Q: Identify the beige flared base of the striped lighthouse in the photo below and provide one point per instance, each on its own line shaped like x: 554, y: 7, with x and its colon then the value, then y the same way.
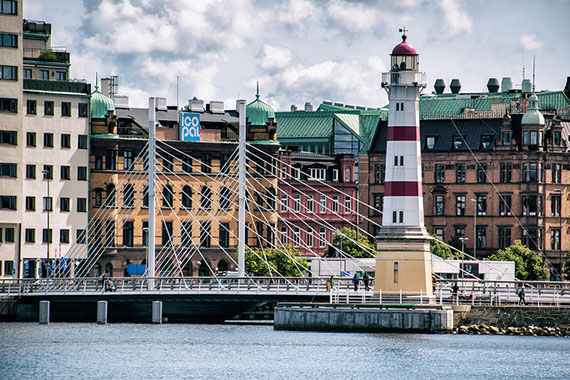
x: 403, y: 261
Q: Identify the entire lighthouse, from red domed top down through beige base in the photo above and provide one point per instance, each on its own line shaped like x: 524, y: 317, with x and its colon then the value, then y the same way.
x: 403, y: 261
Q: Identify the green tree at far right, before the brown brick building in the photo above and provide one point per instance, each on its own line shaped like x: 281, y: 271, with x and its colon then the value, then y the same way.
x: 528, y: 265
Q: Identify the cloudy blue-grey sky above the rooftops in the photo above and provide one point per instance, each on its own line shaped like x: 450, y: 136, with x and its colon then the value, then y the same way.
x: 303, y: 50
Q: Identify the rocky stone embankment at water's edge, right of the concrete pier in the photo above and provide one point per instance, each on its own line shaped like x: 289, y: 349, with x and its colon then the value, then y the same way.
x: 516, y: 316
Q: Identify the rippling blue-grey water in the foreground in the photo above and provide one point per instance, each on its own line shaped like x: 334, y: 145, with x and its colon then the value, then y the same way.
x: 138, y: 351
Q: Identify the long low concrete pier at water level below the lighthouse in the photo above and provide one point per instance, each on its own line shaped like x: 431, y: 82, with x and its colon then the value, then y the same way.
x: 347, y: 317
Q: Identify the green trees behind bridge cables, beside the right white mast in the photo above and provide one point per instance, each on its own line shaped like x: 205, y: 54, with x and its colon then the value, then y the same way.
x: 285, y: 260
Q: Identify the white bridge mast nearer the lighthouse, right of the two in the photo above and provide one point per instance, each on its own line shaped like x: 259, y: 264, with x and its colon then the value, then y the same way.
x: 241, y: 189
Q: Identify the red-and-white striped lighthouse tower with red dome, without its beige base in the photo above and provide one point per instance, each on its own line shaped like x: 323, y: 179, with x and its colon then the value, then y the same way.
x: 403, y: 200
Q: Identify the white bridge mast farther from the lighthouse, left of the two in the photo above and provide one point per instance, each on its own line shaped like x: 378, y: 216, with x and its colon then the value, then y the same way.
x: 150, y: 255
